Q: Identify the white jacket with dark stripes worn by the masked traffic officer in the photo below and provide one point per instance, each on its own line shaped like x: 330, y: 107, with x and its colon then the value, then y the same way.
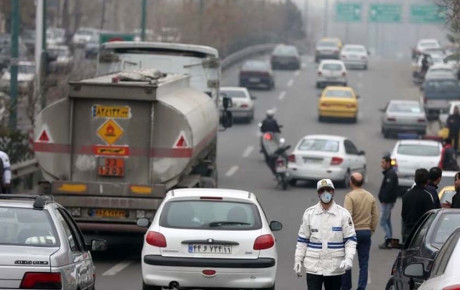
x: 325, y: 239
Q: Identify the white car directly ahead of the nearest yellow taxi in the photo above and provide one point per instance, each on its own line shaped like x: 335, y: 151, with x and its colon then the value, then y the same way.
x: 331, y: 72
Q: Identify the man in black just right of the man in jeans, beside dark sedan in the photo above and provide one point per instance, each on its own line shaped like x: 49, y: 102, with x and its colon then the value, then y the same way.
x: 416, y: 202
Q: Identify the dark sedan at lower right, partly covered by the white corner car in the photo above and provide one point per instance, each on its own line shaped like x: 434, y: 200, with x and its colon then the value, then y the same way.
x: 422, y: 245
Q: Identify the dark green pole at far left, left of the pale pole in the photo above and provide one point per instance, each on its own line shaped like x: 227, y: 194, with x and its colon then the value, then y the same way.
x: 14, y: 63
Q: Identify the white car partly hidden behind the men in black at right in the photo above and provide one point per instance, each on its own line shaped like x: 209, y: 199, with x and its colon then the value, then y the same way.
x: 409, y: 155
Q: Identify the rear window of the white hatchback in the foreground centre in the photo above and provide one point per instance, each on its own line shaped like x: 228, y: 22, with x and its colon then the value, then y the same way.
x: 210, y: 215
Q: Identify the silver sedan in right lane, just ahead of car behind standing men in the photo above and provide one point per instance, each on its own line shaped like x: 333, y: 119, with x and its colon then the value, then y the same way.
x: 403, y: 117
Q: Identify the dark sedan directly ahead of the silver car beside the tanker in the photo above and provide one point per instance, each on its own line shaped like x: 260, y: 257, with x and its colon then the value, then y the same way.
x: 256, y: 74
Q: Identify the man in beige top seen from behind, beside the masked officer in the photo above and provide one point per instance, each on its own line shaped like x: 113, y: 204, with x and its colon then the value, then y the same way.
x: 363, y: 209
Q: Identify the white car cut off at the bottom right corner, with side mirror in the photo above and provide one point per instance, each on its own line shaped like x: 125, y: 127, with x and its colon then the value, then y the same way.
x: 444, y: 270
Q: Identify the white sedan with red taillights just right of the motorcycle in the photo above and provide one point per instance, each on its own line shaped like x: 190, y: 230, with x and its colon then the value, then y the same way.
x: 325, y: 156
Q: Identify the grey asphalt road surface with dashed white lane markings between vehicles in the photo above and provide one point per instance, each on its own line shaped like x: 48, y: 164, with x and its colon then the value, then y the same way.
x: 241, y: 166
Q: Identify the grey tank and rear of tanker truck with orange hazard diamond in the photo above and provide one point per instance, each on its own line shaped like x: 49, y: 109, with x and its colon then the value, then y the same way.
x: 111, y: 150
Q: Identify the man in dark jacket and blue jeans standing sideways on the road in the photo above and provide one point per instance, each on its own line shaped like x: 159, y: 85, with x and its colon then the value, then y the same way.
x: 388, y: 194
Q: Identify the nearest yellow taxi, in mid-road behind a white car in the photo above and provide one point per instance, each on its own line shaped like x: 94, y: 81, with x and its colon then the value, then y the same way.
x: 338, y: 102
